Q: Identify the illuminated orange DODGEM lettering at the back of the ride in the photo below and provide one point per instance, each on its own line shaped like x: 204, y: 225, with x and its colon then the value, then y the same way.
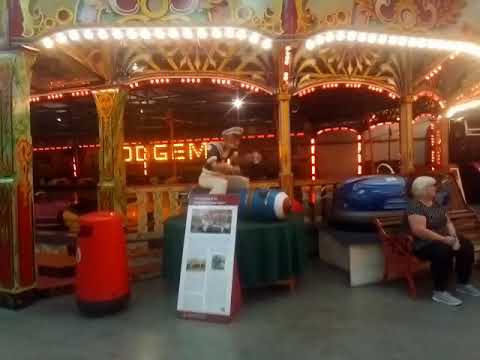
x: 180, y: 151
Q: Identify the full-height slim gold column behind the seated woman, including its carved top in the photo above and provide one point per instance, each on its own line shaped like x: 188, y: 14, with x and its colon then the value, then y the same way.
x: 406, y: 117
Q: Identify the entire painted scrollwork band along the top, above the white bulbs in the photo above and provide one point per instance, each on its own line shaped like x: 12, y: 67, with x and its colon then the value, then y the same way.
x: 451, y: 17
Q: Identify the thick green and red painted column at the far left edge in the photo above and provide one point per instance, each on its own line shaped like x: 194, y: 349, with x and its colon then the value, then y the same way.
x: 17, y: 255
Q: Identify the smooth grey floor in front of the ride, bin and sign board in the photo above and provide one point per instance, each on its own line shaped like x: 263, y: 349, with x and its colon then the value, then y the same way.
x: 324, y: 319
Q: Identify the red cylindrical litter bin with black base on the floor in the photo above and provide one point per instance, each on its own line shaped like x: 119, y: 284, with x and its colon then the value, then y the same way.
x: 102, y: 284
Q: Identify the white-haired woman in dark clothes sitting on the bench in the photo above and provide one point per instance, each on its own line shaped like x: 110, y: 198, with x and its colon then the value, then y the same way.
x: 435, y: 240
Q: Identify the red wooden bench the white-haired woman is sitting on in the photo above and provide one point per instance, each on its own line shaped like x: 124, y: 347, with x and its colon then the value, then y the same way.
x: 399, y: 260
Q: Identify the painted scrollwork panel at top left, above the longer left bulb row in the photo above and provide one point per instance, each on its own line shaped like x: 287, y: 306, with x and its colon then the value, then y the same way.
x: 39, y: 16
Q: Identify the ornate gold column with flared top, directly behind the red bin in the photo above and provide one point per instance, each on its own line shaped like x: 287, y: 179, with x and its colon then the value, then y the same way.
x: 112, y: 182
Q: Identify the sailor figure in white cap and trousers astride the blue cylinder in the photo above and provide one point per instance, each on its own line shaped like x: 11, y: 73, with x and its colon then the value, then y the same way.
x: 221, y: 172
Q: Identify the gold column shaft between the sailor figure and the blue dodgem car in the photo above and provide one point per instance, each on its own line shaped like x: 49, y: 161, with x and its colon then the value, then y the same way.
x: 284, y: 143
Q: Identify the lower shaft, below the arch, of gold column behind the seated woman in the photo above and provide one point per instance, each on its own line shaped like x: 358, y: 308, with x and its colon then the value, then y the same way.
x: 406, y: 136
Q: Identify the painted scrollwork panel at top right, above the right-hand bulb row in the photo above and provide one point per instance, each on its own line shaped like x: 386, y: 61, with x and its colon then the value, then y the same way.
x: 457, y: 17
